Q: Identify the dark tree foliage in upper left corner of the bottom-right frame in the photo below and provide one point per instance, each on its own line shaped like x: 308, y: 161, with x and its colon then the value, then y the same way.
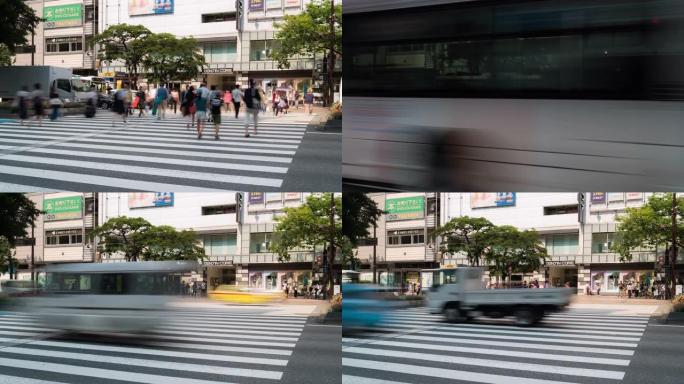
x: 359, y: 213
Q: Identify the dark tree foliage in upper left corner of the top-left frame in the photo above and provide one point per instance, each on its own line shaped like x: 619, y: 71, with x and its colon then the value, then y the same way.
x: 17, y: 21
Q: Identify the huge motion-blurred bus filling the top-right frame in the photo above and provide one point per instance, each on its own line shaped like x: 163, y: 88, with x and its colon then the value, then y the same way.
x: 486, y: 95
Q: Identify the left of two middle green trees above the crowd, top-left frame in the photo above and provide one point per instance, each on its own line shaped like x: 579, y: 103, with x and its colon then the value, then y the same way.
x: 127, y: 43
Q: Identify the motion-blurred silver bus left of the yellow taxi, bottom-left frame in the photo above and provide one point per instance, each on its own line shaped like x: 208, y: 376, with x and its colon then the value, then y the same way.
x: 108, y: 297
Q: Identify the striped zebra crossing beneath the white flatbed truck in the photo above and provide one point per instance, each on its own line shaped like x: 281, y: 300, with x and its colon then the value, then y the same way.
x: 413, y: 346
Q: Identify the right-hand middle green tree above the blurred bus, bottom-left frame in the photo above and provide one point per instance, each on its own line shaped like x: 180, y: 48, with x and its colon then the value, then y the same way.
x: 166, y: 243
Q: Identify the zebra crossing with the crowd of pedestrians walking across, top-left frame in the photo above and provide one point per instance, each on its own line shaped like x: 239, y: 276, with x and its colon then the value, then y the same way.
x: 76, y: 153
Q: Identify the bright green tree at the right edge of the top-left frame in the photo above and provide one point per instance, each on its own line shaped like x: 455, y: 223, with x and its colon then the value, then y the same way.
x: 316, y: 30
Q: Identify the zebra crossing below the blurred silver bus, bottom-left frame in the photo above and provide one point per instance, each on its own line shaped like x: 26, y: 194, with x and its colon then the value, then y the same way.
x: 207, y: 347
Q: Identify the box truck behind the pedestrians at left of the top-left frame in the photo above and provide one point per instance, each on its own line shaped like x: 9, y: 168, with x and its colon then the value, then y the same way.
x: 49, y: 78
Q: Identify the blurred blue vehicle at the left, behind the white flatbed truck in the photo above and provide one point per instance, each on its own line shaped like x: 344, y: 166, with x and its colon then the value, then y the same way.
x: 366, y: 305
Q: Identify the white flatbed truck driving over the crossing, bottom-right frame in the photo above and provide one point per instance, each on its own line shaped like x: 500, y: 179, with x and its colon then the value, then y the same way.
x: 460, y: 295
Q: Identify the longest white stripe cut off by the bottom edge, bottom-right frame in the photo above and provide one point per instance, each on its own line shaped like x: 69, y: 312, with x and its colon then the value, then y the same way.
x: 444, y: 373
